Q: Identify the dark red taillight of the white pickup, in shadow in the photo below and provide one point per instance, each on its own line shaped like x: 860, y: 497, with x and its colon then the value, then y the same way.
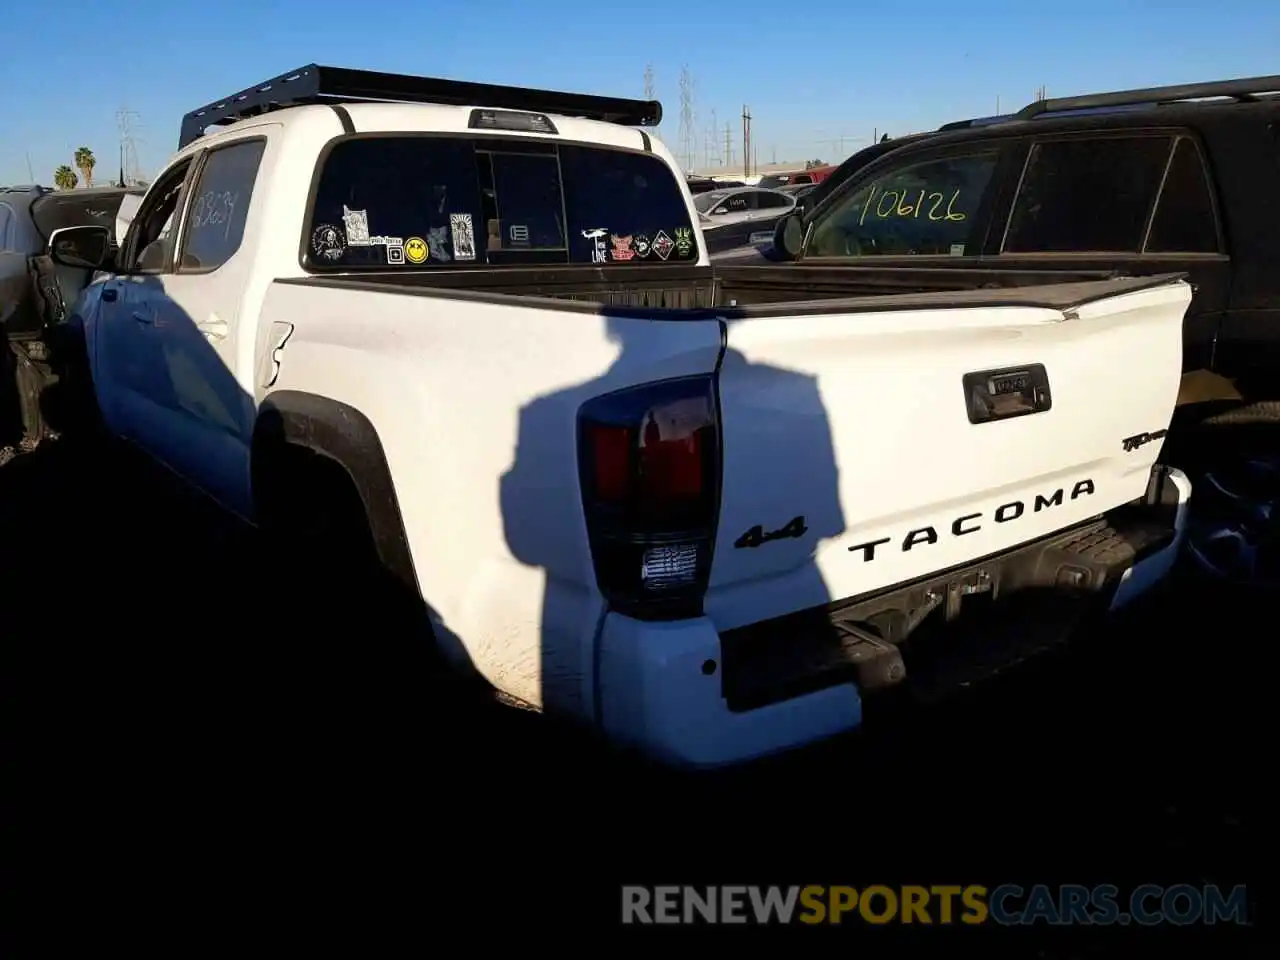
x: 650, y: 468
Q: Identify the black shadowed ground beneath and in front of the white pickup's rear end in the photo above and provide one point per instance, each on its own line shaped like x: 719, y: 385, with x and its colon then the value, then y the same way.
x: 254, y: 749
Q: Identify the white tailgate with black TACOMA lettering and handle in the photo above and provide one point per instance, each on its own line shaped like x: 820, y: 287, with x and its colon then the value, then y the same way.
x: 870, y: 445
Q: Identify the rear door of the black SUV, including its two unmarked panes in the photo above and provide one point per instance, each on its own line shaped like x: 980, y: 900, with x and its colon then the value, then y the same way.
x: 1135, y: 202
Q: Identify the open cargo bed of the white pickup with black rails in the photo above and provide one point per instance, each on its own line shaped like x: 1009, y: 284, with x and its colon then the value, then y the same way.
x: 701, y: 292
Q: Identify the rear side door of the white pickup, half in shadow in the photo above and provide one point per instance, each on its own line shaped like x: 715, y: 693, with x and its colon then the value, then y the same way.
x: 198, y: 313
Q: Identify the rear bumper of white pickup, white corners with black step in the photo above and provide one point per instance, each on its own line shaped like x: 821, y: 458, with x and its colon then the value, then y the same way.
x: 691, y: 696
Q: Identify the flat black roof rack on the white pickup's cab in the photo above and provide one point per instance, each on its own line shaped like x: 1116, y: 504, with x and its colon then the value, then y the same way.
x: 336, y: 85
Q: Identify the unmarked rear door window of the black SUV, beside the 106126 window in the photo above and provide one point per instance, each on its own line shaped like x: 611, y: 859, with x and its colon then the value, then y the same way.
x: 1087, y: 195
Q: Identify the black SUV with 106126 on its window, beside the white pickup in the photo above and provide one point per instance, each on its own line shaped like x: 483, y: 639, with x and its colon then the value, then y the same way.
x: 1167, y: 180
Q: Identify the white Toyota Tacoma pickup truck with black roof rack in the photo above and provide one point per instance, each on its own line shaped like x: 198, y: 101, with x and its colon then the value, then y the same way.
x: 701, y: 510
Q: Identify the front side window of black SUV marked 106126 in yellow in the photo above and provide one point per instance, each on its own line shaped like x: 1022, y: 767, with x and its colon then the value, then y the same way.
x: 924, y: 208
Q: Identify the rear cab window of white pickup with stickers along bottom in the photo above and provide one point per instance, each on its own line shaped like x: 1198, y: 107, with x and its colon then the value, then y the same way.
x: 415, y: 203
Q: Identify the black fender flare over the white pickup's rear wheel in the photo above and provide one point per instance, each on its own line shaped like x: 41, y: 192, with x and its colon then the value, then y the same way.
x: 348, y: 437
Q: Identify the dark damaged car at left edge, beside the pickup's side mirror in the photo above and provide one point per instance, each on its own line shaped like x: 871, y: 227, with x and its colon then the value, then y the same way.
x: 35, y: 292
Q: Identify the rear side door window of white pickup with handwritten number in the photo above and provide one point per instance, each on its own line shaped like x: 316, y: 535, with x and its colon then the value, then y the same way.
x: 220, y: 205
